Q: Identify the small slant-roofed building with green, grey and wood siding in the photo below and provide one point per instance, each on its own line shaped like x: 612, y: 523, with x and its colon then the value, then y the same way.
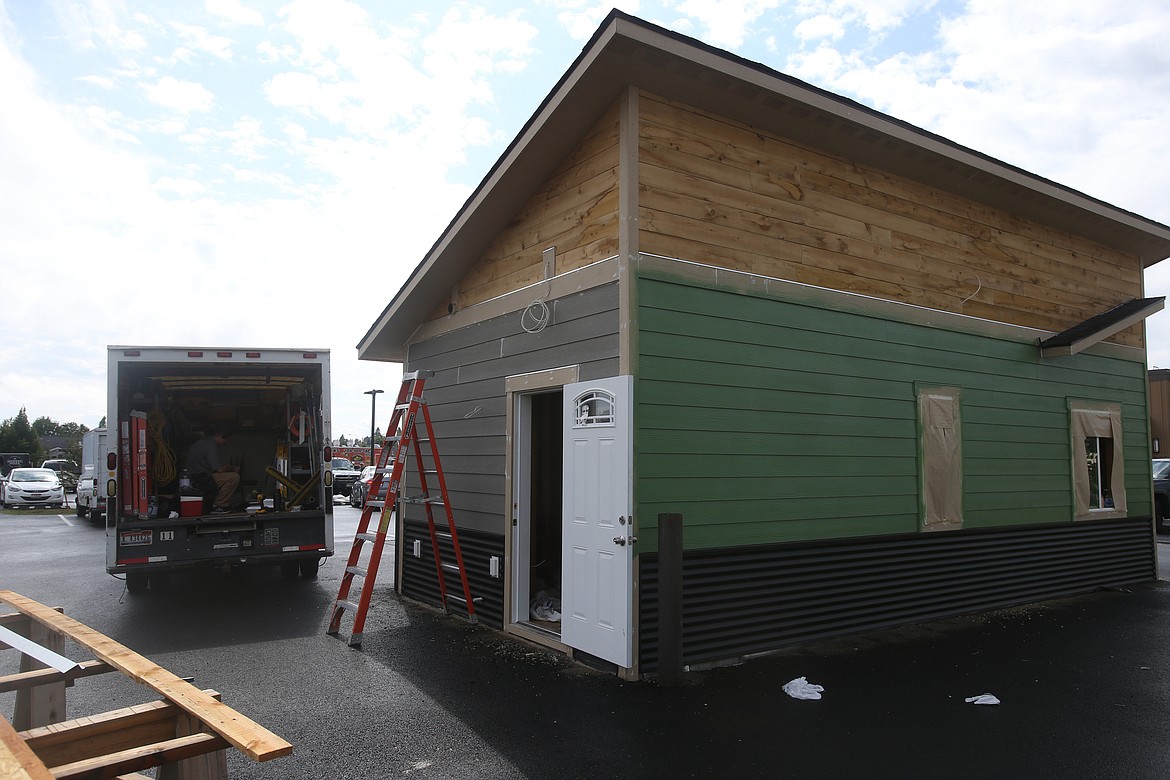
x: 884, y: 378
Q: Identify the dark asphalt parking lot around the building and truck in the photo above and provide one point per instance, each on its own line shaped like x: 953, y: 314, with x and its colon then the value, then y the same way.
x: 1084, y: 684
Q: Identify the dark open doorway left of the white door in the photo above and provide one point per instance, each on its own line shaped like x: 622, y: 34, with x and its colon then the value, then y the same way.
x: 538, y: 507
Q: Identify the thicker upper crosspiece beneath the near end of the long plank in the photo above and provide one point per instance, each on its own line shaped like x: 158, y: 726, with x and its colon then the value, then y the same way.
x: 107, y: 733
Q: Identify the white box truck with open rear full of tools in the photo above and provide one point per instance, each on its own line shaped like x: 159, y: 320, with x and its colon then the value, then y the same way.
x: 271, y: 408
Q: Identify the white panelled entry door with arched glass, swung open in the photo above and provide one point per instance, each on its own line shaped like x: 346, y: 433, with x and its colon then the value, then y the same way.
x: 597, y: 581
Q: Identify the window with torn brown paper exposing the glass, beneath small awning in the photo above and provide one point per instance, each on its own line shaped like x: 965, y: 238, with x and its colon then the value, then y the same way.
x: 1099, y: 466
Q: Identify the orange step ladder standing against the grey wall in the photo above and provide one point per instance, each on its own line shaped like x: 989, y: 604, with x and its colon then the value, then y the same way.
x: 403, y: 438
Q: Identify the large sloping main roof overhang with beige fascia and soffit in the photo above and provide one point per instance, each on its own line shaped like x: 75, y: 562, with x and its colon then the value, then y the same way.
x: 629, y: 52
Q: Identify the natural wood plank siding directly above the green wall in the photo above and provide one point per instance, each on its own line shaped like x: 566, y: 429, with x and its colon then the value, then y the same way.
x: 714, y: 191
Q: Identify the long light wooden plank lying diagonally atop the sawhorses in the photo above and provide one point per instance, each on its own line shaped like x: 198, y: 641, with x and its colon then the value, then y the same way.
x: 251, y: 738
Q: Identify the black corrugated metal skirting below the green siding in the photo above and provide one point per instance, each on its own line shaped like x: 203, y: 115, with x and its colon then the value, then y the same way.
x: 748, y: 600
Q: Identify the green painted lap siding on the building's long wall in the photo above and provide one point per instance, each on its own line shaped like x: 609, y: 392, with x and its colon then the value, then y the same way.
x: 763, y: 420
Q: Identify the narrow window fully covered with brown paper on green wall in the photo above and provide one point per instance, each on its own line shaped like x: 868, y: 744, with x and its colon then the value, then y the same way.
x: 942, y: 459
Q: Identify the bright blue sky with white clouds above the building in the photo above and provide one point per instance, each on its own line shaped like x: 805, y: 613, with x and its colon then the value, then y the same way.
x: 267, y: 172
